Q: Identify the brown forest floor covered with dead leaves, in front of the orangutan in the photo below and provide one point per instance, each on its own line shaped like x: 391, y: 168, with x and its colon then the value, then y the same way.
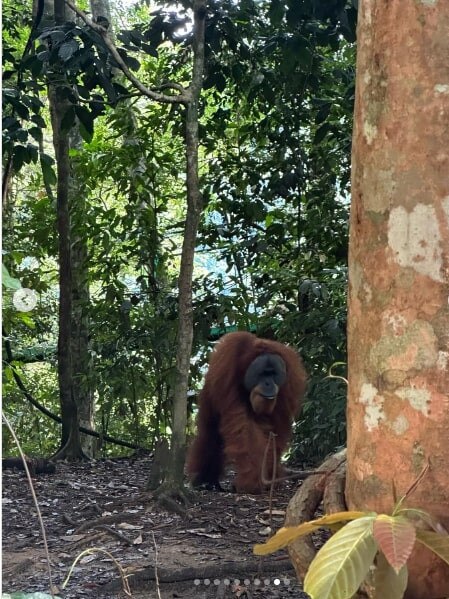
x: 102, y: 504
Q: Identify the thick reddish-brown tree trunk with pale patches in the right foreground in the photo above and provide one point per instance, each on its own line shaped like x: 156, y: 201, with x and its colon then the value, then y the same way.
x: 398, y: 412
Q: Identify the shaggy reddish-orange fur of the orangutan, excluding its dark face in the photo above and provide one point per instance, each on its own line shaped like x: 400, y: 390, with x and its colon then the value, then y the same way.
x: 228, y: 429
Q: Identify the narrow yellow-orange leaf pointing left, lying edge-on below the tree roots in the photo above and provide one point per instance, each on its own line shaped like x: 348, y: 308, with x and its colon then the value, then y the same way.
x: 287, y: 535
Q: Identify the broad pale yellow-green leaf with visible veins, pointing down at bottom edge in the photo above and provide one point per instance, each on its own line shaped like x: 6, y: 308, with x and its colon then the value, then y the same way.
x: 342, y: 563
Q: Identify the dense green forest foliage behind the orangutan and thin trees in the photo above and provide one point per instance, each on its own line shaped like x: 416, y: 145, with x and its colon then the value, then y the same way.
x: 275, y: 149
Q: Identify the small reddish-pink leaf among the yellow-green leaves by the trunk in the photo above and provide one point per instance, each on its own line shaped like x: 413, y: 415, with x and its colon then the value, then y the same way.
x: 395, y: 536
